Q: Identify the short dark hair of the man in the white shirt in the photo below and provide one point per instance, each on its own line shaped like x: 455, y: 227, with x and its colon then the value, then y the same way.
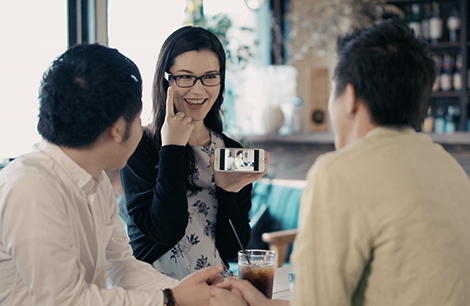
x: 84, y: 91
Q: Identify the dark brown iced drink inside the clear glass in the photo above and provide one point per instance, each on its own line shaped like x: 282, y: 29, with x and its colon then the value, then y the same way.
x: 260, y: 275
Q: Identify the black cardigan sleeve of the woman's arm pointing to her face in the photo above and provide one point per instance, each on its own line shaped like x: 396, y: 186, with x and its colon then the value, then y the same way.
x: 154, y: 185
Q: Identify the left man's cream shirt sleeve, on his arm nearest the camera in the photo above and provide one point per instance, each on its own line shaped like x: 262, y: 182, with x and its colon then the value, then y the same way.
x: 37, y: 233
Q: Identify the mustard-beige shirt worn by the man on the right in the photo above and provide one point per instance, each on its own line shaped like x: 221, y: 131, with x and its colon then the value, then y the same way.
x: 384, y: 221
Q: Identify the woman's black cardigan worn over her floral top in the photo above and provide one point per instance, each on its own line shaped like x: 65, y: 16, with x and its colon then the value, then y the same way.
x: 154, y: 185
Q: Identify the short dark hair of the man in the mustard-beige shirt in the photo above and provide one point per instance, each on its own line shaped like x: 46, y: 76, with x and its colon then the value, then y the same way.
x: 391, y: 71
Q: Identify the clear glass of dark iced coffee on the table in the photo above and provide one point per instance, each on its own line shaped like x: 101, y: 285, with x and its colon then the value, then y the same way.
x: 257, y: 266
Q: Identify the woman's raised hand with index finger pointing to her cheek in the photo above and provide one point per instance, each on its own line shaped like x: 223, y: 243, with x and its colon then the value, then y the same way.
x: 177, y: 127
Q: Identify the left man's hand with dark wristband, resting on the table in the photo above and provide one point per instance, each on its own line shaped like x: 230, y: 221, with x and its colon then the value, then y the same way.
x: 195, y: 289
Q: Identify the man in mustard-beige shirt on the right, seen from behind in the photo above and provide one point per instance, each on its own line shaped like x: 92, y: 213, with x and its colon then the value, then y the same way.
x: 385, y: 219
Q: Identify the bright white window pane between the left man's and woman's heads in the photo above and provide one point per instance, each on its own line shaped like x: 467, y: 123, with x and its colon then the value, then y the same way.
x: 138, y: 31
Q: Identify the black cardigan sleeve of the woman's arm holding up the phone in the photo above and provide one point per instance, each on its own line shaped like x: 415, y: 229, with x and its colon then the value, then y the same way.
x: 236, y: 207
